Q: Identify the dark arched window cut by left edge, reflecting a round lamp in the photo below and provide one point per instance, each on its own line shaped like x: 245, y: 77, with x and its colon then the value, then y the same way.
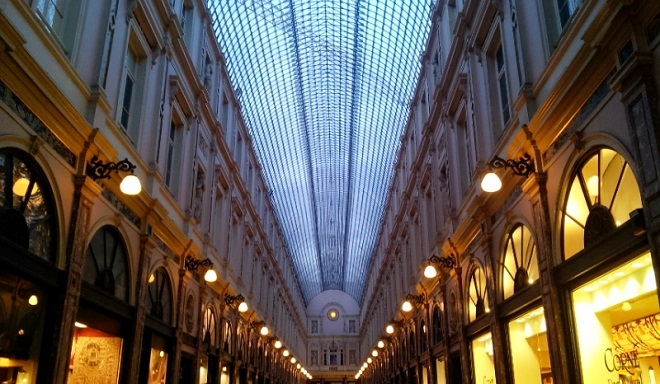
x: 27, y: 209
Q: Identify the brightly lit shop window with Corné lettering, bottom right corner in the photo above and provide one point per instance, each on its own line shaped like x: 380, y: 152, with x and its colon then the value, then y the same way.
x: 617, y: 322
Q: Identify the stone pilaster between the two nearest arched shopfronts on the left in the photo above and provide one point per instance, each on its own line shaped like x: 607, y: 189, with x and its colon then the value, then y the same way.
x: 84, y: 194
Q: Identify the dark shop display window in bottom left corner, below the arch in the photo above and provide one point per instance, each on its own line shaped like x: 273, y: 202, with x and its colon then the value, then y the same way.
x: 22, y: 307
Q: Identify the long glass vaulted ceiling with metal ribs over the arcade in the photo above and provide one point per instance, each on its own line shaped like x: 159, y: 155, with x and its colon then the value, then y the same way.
x: 325, y: 87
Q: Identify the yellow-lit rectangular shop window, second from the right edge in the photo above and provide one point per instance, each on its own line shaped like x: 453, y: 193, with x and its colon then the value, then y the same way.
x: 528, y: 344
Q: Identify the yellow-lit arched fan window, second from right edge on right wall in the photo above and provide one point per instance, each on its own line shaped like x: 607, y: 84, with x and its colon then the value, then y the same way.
x: 519, y: 264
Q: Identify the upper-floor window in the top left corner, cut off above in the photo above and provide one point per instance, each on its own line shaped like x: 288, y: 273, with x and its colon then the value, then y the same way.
x: 61, y: 18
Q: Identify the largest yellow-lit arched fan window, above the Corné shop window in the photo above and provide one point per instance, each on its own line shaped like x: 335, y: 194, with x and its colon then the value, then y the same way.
x: 602, y: 193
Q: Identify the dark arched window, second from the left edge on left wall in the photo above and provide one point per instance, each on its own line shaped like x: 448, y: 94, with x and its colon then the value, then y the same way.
x: 105, y: 263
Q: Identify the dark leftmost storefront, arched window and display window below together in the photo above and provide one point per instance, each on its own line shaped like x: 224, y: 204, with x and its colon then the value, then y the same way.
x: 29, y: 281
